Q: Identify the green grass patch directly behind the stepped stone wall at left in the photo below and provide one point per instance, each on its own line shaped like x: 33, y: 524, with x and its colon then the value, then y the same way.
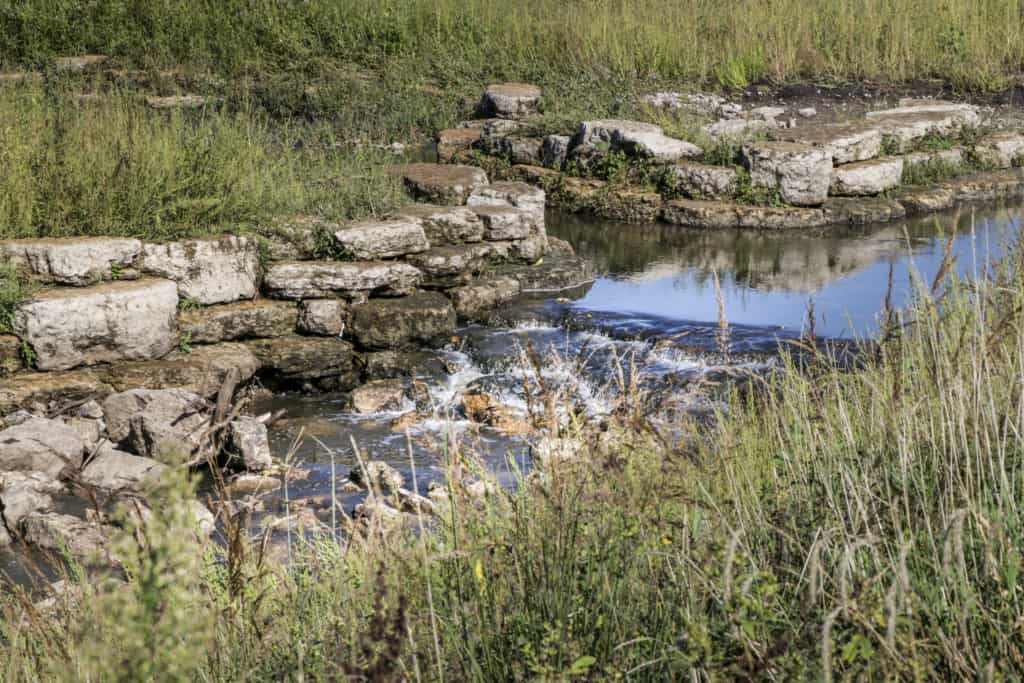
x: 111, y: 166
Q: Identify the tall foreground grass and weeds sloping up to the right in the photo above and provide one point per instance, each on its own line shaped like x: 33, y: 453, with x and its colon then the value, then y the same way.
x: 831, y: 525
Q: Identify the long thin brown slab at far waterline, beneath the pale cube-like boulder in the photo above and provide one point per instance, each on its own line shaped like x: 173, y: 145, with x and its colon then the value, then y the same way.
x: 711, y: 216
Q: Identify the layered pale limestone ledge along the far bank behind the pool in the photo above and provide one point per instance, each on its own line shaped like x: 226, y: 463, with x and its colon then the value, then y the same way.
x: 918, y: 157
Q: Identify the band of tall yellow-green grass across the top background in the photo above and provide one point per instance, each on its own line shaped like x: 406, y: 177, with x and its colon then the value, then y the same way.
x: 975, y: 44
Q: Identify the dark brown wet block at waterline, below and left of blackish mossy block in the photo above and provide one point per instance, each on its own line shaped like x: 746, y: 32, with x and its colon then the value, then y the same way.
x: 295, y: 358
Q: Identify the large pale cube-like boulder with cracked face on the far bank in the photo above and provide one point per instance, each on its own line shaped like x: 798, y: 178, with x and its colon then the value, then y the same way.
x: 800, y: 173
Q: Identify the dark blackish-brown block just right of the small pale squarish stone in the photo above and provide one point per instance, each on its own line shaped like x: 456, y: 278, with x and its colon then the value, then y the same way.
x: 386, y: 324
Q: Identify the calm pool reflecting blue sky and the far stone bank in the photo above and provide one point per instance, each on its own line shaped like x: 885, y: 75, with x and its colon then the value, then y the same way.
x: 769, y: 279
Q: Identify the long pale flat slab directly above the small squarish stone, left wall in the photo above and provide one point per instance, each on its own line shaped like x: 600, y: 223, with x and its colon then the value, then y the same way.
x: 323, y: 280
